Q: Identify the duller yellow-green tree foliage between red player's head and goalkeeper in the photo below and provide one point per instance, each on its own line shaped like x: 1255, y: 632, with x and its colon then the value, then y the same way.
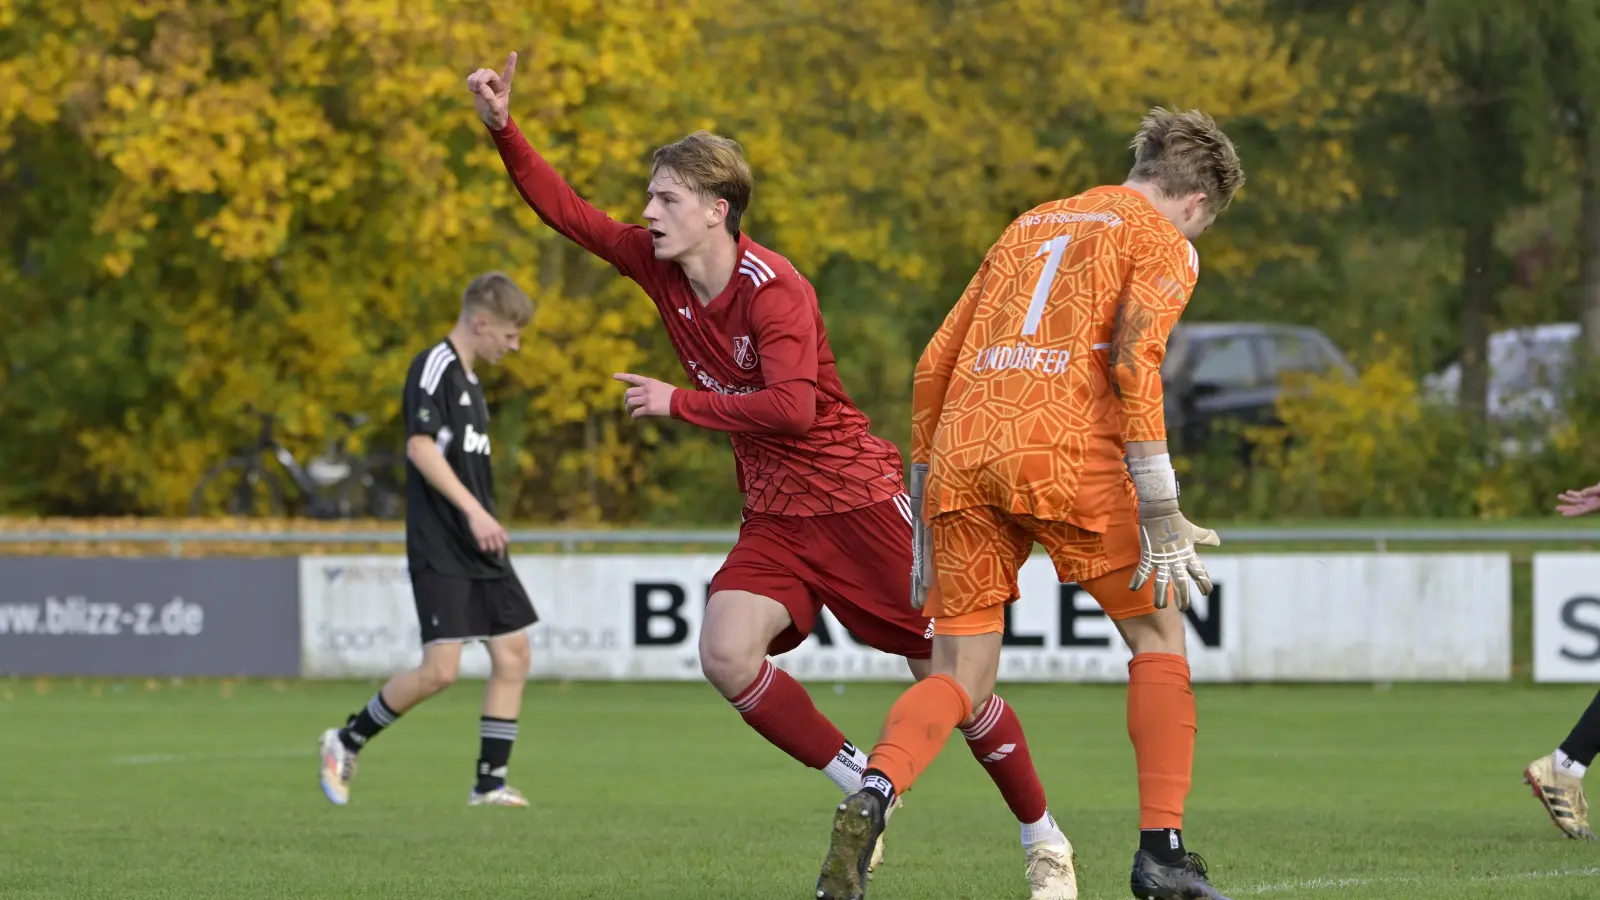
x: 897, y: 140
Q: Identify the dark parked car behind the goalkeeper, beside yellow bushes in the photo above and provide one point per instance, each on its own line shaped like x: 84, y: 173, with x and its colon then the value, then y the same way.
x: 1233, y: 372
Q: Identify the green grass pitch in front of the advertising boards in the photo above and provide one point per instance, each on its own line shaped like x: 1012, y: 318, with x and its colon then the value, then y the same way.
x: 161, y: 790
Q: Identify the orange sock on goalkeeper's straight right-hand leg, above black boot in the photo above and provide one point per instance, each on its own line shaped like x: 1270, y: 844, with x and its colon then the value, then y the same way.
x: 1162, y: 726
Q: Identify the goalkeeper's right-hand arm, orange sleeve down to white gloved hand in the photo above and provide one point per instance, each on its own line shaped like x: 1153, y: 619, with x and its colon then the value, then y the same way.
x: 1164, y: 275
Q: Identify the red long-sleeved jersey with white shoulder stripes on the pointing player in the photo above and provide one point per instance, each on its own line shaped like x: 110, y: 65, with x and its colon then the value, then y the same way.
x: 758, y: 358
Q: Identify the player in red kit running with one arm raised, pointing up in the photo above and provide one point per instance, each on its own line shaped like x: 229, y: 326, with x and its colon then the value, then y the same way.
x: 826, y: 518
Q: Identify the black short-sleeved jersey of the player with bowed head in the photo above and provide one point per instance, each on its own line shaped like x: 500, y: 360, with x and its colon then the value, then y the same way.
x: 446, y: 403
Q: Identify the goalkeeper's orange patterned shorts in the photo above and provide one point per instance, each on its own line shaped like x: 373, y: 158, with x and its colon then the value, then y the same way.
x: 978, y: 553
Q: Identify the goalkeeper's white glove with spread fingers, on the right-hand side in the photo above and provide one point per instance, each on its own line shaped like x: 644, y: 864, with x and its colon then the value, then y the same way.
x: 1167, y: 540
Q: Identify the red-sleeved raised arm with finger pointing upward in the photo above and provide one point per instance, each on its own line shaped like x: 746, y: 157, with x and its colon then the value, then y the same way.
x: 545, y: 191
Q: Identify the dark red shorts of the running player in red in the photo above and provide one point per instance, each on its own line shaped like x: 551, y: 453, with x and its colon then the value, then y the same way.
x: 857, y: 565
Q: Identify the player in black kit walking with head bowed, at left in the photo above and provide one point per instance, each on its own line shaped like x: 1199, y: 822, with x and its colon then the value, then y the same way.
x: 462, y: 577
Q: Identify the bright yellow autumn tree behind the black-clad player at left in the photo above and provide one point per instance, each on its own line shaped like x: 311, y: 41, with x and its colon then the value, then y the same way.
x: 239, y: 206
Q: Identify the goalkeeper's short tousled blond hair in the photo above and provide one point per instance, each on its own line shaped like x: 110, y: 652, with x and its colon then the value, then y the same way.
x: 1185, y: 153
